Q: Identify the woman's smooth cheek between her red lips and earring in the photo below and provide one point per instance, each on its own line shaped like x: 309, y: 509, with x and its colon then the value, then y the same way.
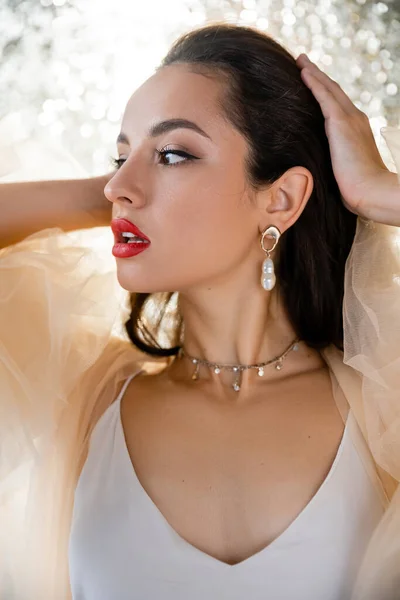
x: 209, y: 223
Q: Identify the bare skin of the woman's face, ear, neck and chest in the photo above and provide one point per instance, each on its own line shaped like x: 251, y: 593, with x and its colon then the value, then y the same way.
x: 229, y: 471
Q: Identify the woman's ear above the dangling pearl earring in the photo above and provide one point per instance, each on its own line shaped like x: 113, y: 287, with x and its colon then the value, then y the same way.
x: 284, y: 201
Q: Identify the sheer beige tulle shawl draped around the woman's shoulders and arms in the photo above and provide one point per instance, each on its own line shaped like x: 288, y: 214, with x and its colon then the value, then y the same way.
x: 63, y: 354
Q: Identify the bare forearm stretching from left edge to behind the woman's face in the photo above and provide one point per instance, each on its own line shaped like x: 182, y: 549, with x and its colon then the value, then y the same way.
x: 28, y: 207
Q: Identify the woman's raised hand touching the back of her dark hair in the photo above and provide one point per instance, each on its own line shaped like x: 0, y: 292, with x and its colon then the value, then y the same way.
x: 363, y: 179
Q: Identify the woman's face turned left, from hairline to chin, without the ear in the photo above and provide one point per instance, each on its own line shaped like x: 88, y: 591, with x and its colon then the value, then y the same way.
x: 192, y: 202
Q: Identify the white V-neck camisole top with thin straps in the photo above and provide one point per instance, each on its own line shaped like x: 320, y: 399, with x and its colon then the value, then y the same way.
x: 122, y: 548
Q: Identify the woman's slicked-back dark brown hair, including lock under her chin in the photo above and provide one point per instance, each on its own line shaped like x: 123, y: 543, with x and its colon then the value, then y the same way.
x: 266, y: 100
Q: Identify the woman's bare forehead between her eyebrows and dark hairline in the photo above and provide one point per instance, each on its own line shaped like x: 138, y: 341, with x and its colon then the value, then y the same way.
x: 174, y: 92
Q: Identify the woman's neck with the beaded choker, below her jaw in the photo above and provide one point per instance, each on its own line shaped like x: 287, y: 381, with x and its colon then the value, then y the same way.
x: 228, y: 327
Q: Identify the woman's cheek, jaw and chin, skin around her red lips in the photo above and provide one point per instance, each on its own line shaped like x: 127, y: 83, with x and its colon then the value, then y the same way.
x: 200, y: 227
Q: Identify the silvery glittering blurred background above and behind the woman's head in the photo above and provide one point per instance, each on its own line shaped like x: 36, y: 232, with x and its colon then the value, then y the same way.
x: 68, y: 67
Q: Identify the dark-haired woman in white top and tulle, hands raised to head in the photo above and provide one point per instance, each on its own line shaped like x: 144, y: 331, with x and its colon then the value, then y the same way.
x: 241, y: 443
